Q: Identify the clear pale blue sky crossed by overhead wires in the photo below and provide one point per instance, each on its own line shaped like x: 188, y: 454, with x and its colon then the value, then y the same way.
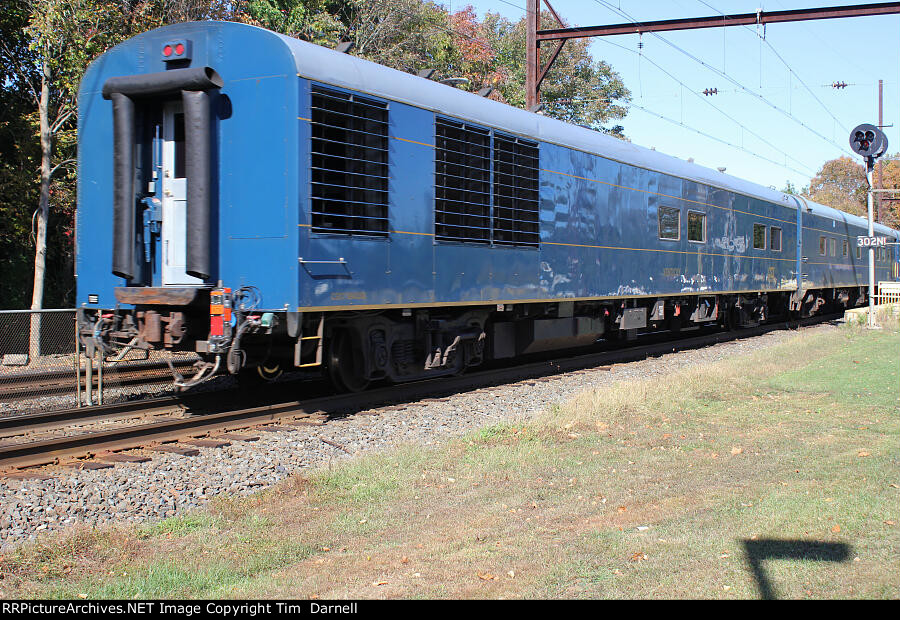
x: 792, y: 118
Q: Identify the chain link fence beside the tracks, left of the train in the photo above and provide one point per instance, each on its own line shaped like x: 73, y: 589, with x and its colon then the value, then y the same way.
x: 43, y: 366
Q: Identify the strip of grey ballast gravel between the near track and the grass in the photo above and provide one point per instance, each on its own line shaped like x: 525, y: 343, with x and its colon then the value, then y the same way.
x: 171, y: 484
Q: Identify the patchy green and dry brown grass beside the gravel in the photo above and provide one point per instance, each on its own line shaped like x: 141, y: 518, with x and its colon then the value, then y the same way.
x: 775, y: 474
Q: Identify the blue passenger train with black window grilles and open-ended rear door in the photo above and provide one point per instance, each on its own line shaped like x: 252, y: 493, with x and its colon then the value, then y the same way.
x: 273, y: 204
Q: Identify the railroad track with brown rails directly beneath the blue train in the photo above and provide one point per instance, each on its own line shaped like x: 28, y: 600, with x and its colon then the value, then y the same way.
x: 203, y: 422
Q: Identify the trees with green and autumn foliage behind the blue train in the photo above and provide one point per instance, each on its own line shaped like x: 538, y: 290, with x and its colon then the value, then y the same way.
x: 46, y: 45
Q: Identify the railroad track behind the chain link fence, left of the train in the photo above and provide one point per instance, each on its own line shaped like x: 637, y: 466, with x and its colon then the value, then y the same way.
x: 21, y: 386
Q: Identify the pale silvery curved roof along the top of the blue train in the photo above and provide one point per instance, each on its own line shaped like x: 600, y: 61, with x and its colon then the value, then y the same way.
x: 344, y: 70
